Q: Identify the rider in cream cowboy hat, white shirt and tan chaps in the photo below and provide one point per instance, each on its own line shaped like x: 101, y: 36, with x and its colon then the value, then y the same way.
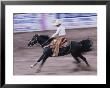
x: 60, y: 37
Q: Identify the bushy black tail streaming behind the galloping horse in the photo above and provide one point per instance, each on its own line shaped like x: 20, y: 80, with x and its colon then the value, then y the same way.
x: 86, y: 45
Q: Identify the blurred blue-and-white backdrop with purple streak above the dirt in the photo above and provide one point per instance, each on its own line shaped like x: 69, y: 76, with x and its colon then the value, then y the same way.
x: 24, y: 22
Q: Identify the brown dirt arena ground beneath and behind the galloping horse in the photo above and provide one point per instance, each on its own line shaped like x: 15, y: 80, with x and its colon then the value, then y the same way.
x: 24, y: 56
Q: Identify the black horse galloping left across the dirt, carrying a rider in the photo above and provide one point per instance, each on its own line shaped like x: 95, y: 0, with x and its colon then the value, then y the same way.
x: 76, y: 49
